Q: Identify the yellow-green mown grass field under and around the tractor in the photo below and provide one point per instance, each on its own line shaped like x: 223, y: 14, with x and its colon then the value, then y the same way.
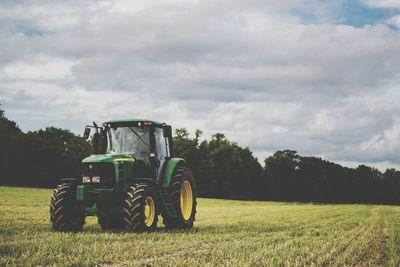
x: 235, y: 233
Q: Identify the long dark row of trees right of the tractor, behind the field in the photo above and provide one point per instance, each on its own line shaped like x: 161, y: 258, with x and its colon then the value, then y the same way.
x: 225, y: 170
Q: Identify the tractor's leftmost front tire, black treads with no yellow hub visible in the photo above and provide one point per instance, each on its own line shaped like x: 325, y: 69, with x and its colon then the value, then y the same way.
x: 63, y: 215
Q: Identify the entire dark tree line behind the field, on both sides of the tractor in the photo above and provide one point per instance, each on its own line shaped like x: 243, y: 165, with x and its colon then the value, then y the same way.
x: 222, y: 168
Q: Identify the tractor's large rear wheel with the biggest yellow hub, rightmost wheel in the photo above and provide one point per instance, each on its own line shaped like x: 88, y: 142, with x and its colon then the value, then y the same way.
x: 183, y: 196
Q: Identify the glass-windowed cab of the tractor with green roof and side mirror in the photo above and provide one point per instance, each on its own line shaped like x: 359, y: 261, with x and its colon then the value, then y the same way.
x: 148, y: 143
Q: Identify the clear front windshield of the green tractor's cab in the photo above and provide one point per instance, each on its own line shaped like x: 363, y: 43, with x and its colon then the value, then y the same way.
x: 129, y: 140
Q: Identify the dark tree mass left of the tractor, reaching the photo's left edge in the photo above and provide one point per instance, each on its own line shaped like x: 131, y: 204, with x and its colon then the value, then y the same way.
x: 39, y: 158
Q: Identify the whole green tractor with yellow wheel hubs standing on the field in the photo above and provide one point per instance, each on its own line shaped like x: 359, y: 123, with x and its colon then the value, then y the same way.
x: 131, y: 178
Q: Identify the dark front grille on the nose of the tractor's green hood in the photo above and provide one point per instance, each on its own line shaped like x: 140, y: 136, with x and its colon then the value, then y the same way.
x: 105, y: 170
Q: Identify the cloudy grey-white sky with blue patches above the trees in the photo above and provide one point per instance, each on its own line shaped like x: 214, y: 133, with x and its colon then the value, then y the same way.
x: 320, y: 77
